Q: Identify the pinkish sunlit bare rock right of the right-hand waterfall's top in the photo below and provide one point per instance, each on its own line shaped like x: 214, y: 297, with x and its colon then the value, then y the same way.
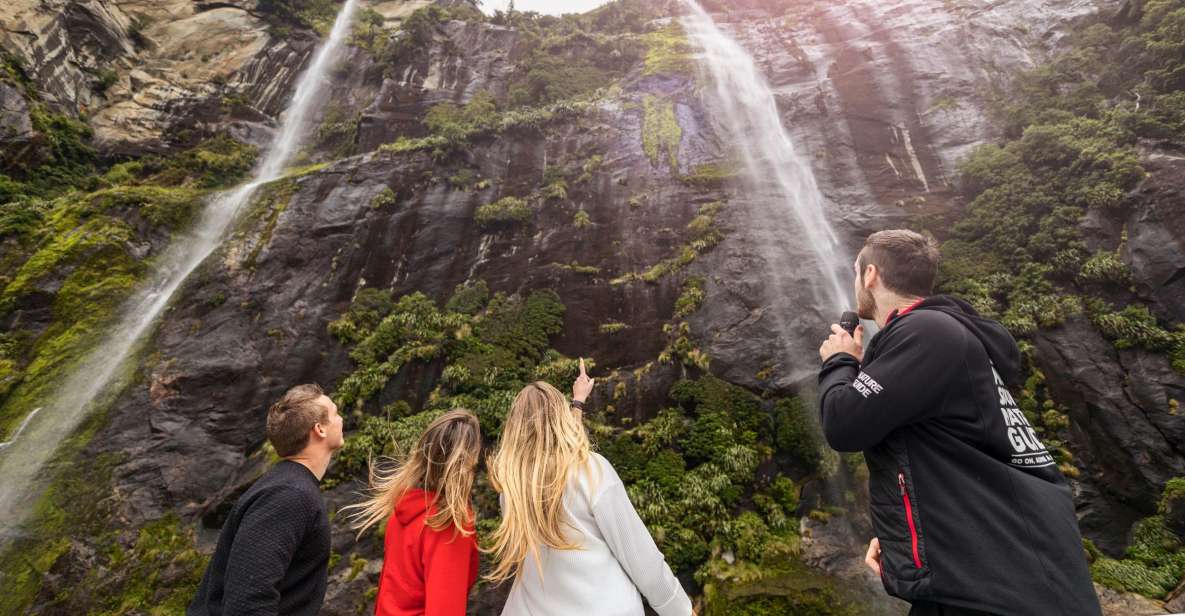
x: 891, y: 97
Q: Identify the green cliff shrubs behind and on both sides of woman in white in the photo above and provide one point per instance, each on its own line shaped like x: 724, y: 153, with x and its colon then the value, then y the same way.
x: 690, y: 471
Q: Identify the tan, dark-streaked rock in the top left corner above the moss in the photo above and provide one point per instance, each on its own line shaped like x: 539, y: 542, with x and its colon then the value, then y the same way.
x: 153, y: 76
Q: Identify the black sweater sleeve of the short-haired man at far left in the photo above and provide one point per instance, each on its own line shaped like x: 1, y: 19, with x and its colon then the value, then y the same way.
x: 268, y: 536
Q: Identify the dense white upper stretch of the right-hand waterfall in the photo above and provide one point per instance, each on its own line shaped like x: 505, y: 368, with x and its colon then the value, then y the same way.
x: 751, y: 118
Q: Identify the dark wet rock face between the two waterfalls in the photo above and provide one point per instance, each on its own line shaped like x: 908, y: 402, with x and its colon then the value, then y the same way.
x: 253, y: 322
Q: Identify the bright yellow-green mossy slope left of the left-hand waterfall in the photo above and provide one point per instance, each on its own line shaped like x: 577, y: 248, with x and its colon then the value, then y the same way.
x: 73, y: 247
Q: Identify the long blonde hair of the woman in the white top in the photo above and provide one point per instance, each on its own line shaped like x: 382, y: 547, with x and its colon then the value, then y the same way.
x: 543, y: 444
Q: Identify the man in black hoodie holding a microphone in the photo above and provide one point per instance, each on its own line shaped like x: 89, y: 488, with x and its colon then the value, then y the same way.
x: 971, y: 514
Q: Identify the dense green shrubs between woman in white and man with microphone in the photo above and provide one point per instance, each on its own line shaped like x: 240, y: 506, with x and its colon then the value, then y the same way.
x: 690, y: 473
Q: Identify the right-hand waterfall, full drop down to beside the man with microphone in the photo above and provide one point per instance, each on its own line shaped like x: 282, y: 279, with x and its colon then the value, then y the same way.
x: 790, y: 226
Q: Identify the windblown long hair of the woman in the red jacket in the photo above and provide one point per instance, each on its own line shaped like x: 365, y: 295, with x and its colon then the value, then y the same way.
x: 443, y: 464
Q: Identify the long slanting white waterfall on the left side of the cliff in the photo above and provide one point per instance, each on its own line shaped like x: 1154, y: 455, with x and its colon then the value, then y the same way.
x: 23, y: 458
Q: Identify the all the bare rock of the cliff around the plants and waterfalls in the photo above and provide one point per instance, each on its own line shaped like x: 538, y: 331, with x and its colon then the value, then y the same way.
x: 883, y: 98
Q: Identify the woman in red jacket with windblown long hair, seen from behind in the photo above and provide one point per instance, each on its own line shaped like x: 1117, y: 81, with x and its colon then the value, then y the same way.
x: 431, y: 550
